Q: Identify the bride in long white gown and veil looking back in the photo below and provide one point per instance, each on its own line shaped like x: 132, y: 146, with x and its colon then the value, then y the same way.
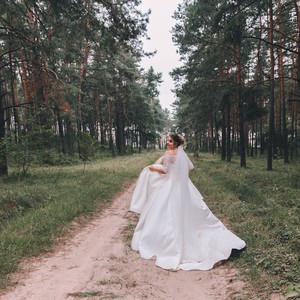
x: 175, y: 225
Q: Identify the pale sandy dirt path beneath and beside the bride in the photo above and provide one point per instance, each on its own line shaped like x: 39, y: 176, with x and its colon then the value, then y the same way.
x: 97, y: 263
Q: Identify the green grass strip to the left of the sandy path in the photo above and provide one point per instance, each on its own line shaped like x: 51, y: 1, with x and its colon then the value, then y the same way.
x: 37, y: 210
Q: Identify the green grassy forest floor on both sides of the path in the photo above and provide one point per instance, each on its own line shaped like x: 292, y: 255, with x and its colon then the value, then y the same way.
x: 260, y: 206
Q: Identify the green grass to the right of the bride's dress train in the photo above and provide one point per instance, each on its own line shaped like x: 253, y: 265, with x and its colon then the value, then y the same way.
x: 263, y: 208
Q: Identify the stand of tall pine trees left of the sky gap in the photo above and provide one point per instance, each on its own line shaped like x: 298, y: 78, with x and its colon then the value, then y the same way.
x: 70, y: 78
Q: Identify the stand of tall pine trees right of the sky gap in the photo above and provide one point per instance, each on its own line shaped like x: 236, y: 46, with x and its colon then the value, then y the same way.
x: 238, y: 89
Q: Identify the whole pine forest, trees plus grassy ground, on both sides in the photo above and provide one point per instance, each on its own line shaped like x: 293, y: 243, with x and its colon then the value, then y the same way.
x: 80, y: 118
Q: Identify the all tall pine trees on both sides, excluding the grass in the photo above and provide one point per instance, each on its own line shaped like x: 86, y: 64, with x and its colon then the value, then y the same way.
x: 71, y: 81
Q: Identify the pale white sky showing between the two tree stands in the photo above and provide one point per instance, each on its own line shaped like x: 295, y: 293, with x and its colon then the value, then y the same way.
x: 159, y: 31
